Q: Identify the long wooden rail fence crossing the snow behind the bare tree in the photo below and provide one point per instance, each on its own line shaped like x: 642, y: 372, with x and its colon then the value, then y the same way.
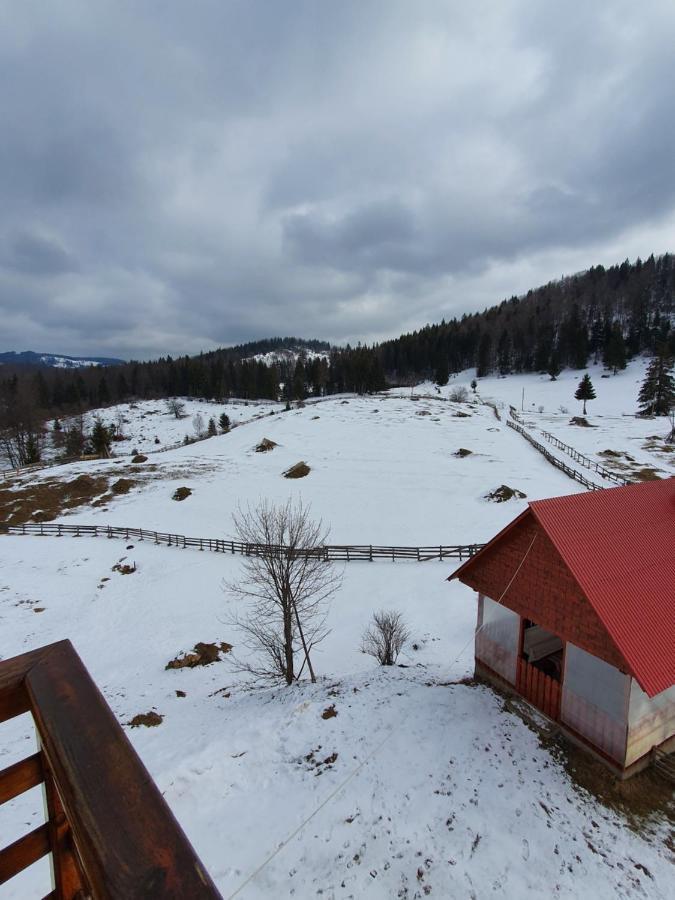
x: 336, y: 552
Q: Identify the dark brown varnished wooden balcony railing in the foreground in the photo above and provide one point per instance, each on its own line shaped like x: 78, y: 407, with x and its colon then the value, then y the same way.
x: 109, y: 830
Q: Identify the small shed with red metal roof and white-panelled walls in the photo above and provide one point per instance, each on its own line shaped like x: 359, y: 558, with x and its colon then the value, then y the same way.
x: 576, y: 613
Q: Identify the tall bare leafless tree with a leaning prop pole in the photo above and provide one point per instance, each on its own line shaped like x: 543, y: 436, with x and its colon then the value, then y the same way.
x: 287, y: 585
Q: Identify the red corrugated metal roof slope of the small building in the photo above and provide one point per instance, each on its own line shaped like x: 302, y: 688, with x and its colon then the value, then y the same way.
x: 619, y: 544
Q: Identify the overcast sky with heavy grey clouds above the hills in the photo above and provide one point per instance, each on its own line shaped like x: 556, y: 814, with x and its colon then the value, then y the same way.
x: 176, y: 176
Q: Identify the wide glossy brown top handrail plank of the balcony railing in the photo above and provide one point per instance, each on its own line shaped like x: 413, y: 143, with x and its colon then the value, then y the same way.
x: 129, y: 842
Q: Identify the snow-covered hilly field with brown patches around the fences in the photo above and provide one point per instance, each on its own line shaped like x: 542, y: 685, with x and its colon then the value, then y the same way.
x: 452, y: 794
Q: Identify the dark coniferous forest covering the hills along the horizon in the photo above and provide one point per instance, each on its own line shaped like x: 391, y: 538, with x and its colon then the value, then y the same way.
x: 601, y: 315
